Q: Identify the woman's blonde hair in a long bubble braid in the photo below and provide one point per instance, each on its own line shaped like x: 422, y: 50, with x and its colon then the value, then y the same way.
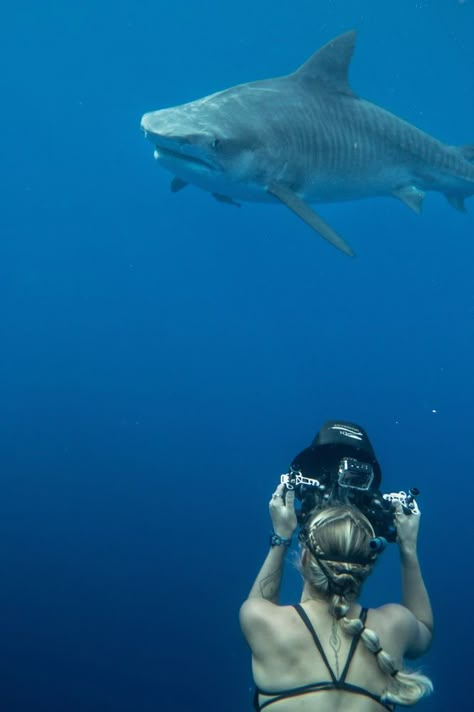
x: 338, y: 559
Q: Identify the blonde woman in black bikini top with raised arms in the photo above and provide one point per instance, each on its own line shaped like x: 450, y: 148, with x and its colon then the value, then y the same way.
x: 328, y: 653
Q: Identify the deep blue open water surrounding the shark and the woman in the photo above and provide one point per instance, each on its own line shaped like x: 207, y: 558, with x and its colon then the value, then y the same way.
x: 163, y: 357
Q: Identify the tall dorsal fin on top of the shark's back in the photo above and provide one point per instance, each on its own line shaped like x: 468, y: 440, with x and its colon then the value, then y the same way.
x: 330, y: 64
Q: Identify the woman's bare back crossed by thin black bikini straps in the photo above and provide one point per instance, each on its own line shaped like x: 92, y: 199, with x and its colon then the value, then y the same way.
x: 287, y: 658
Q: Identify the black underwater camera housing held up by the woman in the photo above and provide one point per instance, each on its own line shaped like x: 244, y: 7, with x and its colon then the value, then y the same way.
x: 340, y: 467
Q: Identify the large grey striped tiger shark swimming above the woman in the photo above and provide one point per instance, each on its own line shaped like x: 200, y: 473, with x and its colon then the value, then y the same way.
x: 305, y: 138
